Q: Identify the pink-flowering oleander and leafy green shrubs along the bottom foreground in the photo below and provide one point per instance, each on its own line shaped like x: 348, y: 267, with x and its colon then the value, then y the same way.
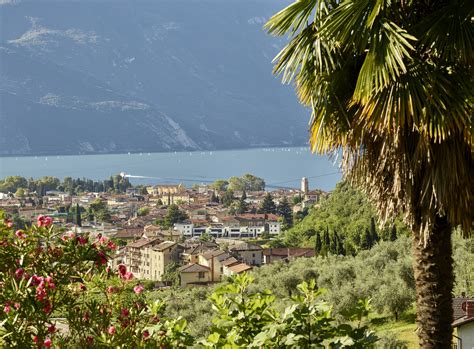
x: 57, y: 291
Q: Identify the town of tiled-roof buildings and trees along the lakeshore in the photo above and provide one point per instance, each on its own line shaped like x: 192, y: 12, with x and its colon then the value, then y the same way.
x: 168, y: 233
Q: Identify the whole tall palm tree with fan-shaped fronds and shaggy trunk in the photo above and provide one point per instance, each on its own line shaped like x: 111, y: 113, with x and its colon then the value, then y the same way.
x: 390, y: 84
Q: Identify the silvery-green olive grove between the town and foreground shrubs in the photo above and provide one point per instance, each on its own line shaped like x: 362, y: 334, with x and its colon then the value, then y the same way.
x: 382, y: 274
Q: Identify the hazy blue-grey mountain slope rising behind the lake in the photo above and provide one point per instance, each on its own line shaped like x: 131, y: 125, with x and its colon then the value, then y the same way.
x: 117, y: 76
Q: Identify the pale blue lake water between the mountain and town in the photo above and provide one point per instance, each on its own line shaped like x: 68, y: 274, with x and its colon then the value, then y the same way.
x: 280, y: 167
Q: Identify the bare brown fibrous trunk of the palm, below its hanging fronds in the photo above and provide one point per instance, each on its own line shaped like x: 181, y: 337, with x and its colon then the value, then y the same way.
x: 433, y: 267
